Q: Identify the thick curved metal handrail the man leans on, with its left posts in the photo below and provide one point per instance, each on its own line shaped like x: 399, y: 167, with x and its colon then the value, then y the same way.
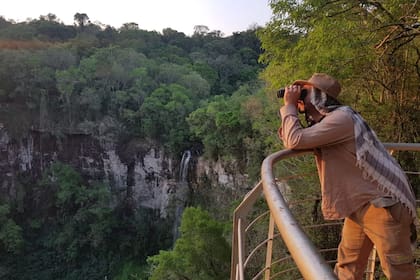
x: 306, y: 256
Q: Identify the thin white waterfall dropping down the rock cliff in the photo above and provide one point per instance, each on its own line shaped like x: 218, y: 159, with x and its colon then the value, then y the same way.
x: 181, y: 192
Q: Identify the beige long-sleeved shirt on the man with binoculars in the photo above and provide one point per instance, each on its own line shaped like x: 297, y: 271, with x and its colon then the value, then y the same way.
x: 343, y: 188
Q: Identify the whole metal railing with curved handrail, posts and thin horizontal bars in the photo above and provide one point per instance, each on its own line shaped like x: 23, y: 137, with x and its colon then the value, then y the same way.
x: 280, y: 223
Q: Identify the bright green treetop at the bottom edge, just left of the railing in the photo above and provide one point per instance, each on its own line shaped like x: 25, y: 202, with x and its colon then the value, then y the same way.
x: 201, y: 252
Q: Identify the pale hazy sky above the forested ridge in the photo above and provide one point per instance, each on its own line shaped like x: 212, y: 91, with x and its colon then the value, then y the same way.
x: 226, y: 16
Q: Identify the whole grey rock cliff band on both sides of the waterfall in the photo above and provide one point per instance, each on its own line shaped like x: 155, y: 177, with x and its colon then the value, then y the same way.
x: 136, y: 169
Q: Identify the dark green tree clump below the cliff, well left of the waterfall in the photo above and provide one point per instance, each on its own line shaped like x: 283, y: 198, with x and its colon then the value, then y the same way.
x: 84, y: 218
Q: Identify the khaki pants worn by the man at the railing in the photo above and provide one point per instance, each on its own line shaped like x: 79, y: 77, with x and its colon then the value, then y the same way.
x: 387, y: 228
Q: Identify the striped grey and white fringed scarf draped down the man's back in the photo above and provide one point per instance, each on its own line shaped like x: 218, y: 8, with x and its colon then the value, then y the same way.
x: 373, y: 159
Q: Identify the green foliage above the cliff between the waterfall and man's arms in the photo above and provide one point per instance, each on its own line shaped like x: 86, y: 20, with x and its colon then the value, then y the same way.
x: 240, y: 127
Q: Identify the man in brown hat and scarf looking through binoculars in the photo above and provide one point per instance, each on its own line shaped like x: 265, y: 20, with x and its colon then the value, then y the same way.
x: 360, y: 181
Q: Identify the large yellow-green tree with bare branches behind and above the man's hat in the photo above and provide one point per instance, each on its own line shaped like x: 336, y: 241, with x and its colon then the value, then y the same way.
x: 371, y: 46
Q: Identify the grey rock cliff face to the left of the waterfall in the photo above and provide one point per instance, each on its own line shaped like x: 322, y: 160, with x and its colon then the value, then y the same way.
x: 148, y: 175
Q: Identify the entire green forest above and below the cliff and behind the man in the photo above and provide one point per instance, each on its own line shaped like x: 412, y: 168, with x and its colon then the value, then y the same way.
x: 206, y: 92
